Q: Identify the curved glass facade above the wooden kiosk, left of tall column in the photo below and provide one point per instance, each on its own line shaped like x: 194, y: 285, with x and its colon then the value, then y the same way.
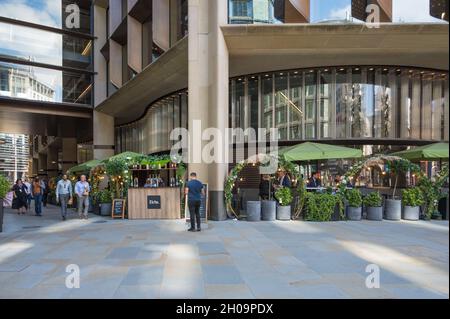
x: 151, y: 134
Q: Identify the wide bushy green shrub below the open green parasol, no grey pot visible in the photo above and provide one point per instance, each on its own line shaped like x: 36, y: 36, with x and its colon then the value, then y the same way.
x: 320, y: 207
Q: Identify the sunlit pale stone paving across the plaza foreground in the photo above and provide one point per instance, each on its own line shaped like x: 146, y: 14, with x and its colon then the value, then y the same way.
x: 231, y: 259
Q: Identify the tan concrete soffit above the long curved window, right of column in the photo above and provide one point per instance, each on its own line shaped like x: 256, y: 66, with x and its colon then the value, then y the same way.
x: 264, y: 48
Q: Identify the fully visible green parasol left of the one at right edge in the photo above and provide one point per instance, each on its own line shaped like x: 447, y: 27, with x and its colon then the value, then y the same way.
x: 314, y: 151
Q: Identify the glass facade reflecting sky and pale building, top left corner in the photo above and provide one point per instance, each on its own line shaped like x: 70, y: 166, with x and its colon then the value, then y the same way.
x: 45, y: 65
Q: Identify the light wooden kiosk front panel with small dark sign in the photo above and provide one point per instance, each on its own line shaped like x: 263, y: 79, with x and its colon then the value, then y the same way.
x: 154, y: 203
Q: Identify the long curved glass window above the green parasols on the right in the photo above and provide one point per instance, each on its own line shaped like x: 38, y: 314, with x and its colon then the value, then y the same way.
x: 344, y: 102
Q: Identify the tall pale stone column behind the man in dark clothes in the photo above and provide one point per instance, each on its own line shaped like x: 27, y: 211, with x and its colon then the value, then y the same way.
x: 208, y: 94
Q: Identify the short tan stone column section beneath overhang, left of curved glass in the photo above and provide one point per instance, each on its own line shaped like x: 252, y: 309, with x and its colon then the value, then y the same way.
x: 103, y: 127
